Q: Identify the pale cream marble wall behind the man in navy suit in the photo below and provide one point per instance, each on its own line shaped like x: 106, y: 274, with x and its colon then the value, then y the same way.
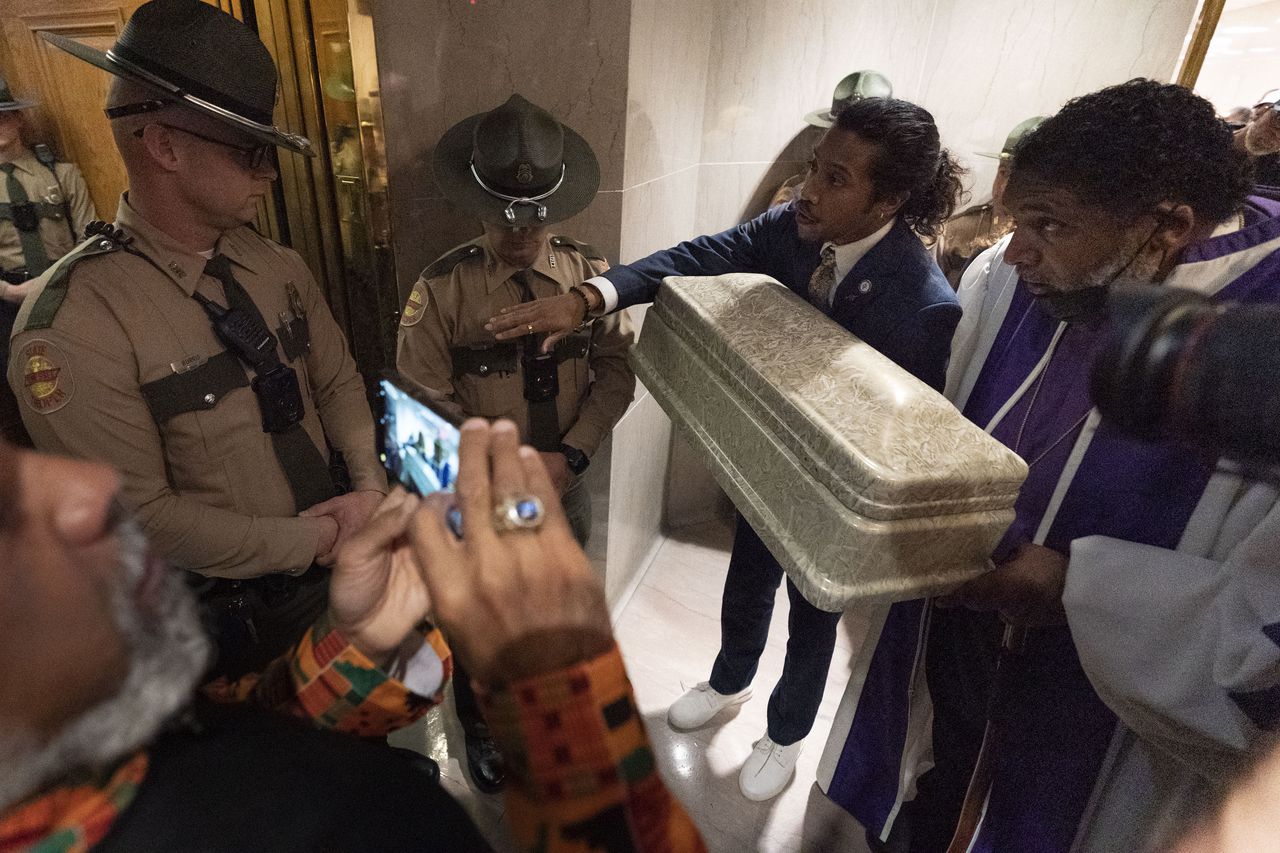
x: 980, y: 66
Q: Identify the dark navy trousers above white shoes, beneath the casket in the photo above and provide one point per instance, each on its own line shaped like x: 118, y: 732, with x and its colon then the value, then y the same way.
x: 746, y: 610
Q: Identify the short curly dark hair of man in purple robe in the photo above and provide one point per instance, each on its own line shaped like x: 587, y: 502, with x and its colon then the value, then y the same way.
x: 1130, y: 148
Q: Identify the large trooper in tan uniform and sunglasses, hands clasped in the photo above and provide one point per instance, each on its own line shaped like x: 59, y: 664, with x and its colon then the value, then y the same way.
x: 194, y: 355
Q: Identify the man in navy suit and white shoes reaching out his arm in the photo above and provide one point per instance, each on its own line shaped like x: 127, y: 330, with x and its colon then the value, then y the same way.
x: 851, y: 245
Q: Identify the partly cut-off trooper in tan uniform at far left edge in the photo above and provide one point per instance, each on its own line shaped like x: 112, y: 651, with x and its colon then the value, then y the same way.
x: 44, y: 211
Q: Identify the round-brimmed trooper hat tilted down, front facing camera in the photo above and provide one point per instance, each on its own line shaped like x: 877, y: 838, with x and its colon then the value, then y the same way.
x: 516, y: 166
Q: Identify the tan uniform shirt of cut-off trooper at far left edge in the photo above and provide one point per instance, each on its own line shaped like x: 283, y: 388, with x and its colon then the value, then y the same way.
x: 42, y: 188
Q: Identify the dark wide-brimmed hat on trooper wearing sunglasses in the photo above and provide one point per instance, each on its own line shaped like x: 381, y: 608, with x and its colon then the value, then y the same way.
x: 199, y: 57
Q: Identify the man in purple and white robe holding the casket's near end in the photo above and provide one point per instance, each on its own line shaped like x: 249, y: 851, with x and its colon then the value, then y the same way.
x: 1123, y: 654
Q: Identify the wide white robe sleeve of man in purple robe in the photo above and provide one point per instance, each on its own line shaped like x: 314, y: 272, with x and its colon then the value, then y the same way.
x: 1183, y: 645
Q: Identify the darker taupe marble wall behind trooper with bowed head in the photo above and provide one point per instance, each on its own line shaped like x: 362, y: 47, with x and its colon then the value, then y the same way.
x: 442, y: 61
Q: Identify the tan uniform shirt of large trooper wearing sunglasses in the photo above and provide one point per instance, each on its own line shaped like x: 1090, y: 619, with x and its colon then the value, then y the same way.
x: 207, y: 486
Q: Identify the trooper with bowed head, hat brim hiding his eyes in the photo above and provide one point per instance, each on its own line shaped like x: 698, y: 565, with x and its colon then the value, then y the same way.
x: 566, y: 402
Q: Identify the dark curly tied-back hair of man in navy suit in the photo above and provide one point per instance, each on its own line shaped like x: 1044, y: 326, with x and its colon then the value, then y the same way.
x: 909, y: 159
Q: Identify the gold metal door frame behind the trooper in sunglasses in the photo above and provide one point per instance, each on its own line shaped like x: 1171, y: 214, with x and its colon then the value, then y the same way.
x: 337, y: 203
